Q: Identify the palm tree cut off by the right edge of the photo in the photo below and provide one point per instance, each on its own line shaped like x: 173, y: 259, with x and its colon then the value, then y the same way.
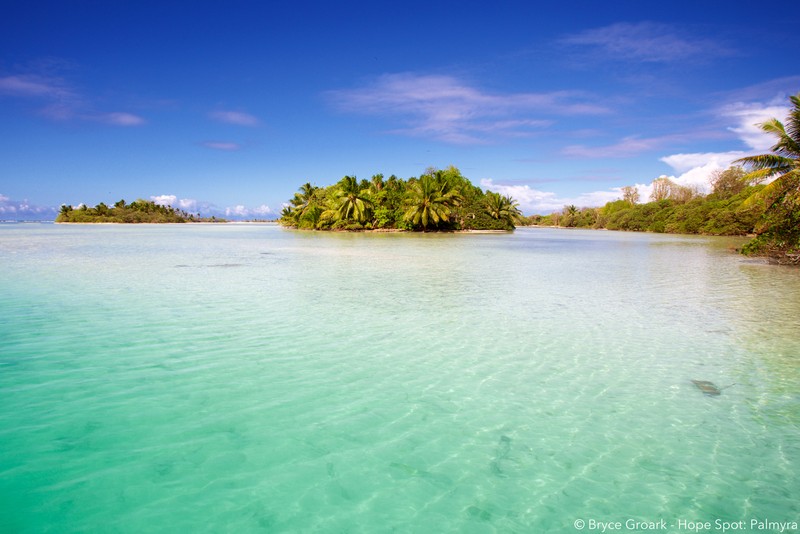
x: 780, y: 228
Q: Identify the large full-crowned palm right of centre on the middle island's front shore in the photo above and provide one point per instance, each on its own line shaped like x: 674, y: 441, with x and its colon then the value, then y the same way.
x: 431, y: 199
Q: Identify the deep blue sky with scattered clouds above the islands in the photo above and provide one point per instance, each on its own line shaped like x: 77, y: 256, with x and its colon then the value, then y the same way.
x: 227, y: 107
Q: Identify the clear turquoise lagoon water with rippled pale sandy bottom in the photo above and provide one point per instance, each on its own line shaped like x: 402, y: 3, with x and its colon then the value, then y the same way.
x: 245, y: 378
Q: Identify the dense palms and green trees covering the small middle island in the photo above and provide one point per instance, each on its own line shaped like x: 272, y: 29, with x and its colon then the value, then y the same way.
x: 439, y: 200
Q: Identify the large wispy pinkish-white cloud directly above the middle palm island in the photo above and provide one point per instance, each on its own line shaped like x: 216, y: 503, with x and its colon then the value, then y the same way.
x: 446, y: 109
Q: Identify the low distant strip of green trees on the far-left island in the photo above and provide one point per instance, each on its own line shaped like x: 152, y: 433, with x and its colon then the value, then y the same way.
x: 140, y: 211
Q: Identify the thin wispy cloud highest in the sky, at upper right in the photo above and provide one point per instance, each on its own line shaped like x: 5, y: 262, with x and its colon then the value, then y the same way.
x: 645, y: 42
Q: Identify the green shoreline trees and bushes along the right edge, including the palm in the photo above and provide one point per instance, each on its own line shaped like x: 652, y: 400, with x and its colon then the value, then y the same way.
x: 739, y: 204
